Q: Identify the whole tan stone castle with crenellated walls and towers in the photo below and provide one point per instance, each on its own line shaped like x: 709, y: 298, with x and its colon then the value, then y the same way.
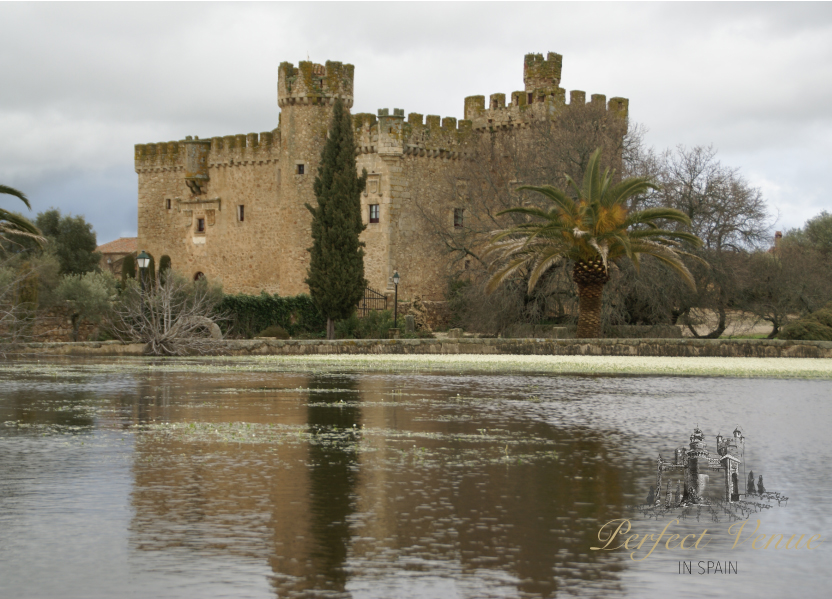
x: 232, y: 208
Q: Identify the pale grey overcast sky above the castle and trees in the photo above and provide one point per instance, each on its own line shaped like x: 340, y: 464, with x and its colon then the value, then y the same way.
x: 80, y: 84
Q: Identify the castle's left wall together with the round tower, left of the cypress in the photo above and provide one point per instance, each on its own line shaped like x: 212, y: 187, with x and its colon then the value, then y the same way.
x: 232, y: 208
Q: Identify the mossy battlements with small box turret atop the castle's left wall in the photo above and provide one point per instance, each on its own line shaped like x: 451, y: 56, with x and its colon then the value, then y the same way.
x: 194, y: 156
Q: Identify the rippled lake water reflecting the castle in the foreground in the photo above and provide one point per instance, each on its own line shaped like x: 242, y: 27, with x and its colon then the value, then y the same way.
x: 121, y: 479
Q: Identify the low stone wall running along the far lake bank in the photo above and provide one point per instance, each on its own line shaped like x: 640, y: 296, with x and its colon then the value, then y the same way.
x: 721, y: 348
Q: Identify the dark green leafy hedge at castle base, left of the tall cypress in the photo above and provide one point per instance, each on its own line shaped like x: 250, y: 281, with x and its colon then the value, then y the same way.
x: 250, y: 314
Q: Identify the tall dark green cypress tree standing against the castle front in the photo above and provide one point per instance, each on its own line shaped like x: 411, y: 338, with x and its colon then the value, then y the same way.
x: 336, y: 270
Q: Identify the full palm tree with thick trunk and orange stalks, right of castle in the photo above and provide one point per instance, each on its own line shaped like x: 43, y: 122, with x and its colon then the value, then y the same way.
x: 592, y: 229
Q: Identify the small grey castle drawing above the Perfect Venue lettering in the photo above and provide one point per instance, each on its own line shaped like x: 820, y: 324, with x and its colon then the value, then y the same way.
x: 696, y: 464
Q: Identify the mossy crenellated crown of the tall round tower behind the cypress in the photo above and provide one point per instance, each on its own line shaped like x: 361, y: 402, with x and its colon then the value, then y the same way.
x: 312, y: 84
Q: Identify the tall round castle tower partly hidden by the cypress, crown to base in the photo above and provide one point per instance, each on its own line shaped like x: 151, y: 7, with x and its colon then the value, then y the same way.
x: 306, y: 95
